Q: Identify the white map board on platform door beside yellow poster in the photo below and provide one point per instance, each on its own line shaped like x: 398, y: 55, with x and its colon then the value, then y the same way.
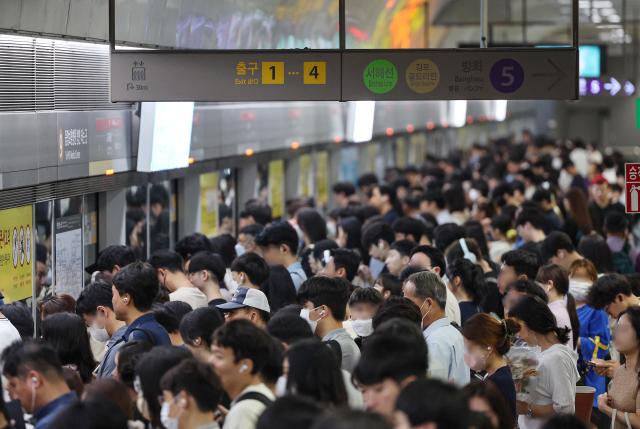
x: 69, y: 270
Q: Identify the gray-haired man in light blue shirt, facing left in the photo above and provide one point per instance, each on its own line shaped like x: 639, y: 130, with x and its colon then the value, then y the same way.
x: 444, y: 341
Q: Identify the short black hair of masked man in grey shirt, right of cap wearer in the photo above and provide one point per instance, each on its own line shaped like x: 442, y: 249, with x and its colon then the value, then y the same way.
x: 334, y: 293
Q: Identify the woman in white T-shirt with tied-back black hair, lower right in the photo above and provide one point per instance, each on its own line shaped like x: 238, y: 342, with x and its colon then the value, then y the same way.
x: 555, y: 384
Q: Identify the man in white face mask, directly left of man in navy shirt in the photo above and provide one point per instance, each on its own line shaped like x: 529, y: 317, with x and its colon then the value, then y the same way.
x: 96, y: 308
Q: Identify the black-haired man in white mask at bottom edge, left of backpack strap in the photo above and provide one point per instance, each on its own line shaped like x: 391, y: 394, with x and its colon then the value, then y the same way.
x: 191, y: 393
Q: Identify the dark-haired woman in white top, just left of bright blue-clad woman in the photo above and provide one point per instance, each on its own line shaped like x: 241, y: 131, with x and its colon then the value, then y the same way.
x: 555, y: 282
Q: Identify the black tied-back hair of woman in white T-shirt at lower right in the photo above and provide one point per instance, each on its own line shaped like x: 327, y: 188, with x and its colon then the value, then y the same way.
x: 536, y: 314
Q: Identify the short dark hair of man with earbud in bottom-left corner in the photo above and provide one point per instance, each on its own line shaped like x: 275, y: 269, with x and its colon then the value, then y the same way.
x: 21, y: 357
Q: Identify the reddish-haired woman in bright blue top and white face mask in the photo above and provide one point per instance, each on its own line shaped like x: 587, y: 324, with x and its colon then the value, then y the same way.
x: 595, y: 334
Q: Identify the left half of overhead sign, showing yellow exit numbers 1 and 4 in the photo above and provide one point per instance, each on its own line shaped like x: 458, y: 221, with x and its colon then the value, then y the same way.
x: 225, y: 76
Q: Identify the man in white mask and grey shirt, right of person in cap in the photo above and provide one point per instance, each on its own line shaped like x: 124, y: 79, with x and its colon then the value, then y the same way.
x: 325, y: 305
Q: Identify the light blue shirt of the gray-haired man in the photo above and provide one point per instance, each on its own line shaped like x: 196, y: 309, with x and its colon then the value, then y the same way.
x: 446, y: 353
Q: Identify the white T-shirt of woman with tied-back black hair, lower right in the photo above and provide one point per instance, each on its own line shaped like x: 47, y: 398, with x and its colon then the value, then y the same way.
x: 555, y: 384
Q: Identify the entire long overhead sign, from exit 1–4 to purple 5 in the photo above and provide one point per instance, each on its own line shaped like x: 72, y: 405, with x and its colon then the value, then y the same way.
x: 433, y: 74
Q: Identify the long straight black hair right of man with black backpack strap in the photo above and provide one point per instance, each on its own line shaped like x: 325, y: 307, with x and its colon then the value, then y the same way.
x: 314, y: 371
